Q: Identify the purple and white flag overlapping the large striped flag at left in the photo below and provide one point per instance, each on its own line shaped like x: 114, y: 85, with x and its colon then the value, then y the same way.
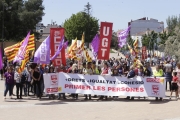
x: 20, y: 55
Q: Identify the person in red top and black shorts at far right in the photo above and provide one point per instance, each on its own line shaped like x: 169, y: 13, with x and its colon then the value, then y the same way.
x: 174, y: 86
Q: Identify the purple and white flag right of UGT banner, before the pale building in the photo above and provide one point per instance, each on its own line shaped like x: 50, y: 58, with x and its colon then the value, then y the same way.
x: 123, y: 36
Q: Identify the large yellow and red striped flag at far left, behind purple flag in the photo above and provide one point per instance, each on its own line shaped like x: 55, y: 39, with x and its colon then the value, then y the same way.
x: 12, y: 50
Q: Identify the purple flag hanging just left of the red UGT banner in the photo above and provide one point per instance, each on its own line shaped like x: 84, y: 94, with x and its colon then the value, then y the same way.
x: 95, y: 46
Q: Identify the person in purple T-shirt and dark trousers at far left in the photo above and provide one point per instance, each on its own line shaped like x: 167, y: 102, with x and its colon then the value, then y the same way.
x: 9, y: 82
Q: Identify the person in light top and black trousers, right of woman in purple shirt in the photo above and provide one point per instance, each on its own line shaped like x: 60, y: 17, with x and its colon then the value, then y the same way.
x: 17, y: 78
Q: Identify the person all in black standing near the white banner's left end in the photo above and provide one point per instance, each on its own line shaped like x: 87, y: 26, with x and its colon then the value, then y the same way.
x: 36, y: 75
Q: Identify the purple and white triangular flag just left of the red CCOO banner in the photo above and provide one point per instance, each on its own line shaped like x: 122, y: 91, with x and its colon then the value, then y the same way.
x: 42, y: 55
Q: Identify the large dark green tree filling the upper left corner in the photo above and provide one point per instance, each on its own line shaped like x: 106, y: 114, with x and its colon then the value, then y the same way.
x: 20, y: 17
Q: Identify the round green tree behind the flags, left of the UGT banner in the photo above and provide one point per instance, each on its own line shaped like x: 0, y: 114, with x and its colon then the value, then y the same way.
x: 78, y: 23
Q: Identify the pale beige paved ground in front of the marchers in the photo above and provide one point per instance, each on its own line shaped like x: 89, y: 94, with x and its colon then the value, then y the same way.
x: 31, y: 108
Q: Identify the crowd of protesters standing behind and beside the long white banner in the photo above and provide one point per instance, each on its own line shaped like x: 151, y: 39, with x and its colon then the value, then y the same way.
x: 31, y: 79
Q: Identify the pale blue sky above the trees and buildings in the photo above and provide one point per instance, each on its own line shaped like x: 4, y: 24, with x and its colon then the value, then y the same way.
x: 119, y: 12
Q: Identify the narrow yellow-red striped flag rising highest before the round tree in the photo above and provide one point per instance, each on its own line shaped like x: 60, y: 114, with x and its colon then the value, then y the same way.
x: 78, y: 50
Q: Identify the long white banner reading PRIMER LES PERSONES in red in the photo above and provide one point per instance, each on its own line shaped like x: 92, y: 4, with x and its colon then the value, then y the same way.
x: 99, y: 85
